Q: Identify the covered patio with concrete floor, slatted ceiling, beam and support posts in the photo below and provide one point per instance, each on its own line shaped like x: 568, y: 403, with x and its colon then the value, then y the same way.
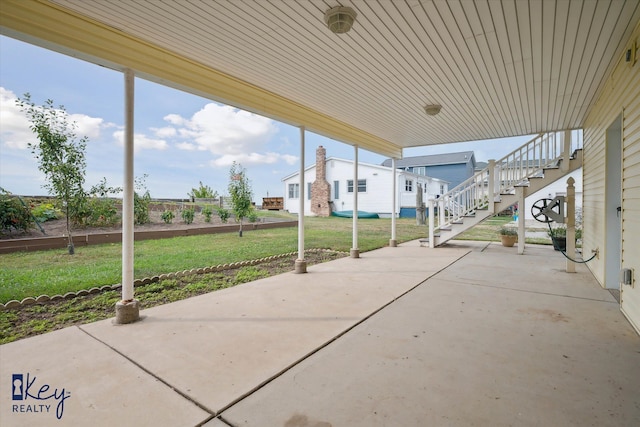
x: 468, y: 333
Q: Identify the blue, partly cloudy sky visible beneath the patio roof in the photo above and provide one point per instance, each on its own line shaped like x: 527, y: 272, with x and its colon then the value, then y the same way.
x: 180, y: 139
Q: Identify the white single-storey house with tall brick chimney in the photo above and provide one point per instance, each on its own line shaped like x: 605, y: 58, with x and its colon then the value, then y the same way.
x: 330, y: 186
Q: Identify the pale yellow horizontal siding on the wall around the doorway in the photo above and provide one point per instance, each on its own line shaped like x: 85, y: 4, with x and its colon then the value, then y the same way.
x: 620, y: 95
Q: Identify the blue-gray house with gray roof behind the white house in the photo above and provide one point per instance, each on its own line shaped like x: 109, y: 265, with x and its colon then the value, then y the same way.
x: 451, y: 167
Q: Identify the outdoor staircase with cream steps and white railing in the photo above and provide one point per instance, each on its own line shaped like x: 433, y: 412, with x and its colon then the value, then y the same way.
x: 531, y: 167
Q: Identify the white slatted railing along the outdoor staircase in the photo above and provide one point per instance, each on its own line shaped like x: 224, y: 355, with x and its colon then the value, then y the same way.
x: 502, y: 176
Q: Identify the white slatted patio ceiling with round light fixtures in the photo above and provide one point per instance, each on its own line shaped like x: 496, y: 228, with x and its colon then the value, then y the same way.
x: 498, y: 68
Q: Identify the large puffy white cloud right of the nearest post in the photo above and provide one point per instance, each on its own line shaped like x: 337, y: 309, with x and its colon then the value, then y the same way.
x: 226, y: 131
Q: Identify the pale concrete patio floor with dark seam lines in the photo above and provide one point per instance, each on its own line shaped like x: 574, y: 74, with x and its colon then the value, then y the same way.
x: 468, y: 334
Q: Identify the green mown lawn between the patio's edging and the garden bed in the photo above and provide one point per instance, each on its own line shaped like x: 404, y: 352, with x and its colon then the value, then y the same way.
x: 30, y: 274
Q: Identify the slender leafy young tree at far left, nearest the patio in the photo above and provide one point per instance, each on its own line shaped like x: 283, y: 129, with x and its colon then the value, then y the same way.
x: 60, y: 156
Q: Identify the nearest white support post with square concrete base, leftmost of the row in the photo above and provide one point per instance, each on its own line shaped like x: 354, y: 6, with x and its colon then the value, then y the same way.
x: 128, y: 310
